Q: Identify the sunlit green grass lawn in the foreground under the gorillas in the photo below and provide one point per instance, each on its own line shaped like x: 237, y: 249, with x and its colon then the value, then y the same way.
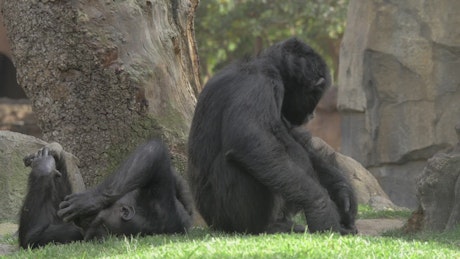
x: 202, y: 243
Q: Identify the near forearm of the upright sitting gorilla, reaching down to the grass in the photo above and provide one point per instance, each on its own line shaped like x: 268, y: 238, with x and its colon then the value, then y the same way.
x: 261, y: 154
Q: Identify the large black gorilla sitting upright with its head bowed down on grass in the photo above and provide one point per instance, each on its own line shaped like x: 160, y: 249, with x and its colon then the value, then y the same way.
x: 250, y: 167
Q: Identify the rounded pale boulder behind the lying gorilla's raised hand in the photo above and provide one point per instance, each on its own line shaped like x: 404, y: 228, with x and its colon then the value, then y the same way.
x: 13, y: 176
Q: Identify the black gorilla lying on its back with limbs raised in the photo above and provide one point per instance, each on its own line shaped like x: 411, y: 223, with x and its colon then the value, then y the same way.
x: 144, y: 196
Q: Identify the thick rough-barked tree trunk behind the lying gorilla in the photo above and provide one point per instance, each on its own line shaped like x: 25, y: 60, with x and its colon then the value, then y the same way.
x: 104, y: 76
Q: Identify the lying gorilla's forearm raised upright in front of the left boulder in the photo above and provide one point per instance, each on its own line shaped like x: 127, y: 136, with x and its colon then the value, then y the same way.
x: 38, y: 224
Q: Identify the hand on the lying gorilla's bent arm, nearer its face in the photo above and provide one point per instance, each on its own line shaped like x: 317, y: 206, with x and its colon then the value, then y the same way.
x: 79, y: 205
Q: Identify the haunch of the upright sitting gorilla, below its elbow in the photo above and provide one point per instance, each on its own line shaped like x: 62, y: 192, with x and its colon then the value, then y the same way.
x: 238, y: 202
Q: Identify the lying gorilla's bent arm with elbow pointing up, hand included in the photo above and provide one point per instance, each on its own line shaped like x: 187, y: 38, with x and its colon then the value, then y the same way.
x: 147, y: 167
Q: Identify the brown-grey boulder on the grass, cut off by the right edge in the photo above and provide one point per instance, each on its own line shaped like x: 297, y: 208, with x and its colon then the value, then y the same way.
x: 439, y: 190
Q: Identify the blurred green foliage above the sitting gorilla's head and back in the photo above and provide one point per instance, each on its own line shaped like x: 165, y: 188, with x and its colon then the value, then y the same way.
x: 227, y: 30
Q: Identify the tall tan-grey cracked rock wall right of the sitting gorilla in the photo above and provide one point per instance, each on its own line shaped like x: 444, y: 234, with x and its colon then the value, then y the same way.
x: 399, y: 88
